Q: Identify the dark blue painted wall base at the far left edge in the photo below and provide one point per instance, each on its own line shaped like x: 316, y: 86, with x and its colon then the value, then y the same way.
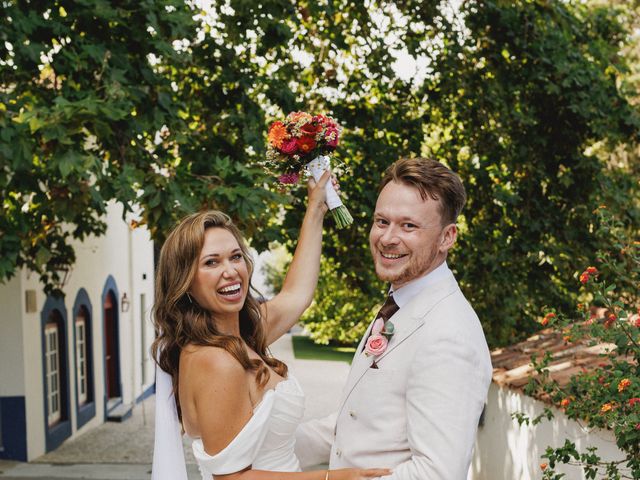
x: 14, y: 428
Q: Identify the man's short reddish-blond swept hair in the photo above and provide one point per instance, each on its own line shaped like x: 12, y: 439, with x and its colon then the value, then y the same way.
x: 433, y: 179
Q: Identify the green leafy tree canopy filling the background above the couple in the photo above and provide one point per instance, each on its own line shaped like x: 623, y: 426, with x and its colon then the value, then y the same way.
x: 158, y: 105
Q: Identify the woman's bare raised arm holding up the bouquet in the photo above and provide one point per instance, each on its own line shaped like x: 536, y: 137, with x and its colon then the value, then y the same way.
x: 284, y: 309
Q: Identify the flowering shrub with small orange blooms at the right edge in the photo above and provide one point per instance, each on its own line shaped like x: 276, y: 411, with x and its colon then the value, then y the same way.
x: 606, y: 396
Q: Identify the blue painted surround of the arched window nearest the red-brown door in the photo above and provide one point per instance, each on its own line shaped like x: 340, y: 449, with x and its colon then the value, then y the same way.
x: 87, y: 411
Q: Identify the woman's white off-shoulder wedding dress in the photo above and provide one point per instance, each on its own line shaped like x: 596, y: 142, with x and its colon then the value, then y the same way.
x: 267, y: 440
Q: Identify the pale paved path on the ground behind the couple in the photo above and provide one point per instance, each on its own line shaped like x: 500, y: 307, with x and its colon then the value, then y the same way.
x: 124, y: 451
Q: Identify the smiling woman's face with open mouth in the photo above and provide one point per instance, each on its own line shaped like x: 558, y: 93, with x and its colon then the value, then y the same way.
x: 222, y: 279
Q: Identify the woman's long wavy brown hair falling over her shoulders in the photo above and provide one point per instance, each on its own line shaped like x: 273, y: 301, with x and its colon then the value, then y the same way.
x: 180, y: 321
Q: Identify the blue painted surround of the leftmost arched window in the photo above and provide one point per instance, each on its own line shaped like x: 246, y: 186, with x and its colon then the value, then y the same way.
x: 59, y: 432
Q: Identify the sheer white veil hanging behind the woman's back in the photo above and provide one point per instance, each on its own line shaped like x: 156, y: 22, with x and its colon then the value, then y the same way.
x: 168, y: 456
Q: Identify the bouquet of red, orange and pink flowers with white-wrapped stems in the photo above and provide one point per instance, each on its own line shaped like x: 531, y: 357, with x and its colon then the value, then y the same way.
x: 304, y: 141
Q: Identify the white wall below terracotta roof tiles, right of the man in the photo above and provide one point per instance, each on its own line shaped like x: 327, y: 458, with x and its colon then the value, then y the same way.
x: 505, y: 450
